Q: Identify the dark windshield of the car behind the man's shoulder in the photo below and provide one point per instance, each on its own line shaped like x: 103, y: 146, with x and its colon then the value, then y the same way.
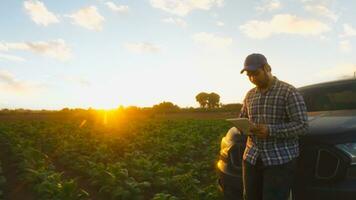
x: 340, y: 96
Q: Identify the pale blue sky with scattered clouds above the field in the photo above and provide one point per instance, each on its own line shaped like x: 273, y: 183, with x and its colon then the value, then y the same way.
x: 103, y: 54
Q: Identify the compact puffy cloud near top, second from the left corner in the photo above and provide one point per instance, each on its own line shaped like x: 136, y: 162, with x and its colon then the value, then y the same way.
x: 88, y: 18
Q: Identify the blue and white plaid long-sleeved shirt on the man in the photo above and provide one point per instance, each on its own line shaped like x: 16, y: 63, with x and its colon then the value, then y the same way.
x: 283, y: 110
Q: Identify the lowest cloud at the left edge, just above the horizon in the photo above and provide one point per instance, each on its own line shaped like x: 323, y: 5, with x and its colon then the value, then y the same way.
x: 10, y: 84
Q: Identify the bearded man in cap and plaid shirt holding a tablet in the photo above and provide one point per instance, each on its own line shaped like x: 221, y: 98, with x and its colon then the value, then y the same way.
x: 277, y: 115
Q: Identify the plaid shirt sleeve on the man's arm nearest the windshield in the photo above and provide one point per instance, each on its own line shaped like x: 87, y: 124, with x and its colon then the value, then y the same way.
x: 298, y: 119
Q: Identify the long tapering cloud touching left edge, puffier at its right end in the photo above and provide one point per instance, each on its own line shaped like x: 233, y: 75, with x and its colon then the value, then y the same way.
x: 57, y: 49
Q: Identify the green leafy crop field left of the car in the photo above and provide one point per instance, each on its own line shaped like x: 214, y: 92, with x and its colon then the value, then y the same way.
x: 140, y: 158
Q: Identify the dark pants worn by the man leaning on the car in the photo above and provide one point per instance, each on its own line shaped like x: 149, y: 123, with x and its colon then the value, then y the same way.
x: 267, y: 182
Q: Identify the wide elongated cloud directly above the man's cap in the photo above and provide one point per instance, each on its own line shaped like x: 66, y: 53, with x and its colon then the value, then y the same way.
x: 283, y: 23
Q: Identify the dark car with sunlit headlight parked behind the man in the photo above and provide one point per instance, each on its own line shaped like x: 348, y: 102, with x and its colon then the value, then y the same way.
x: 327, y: 162
